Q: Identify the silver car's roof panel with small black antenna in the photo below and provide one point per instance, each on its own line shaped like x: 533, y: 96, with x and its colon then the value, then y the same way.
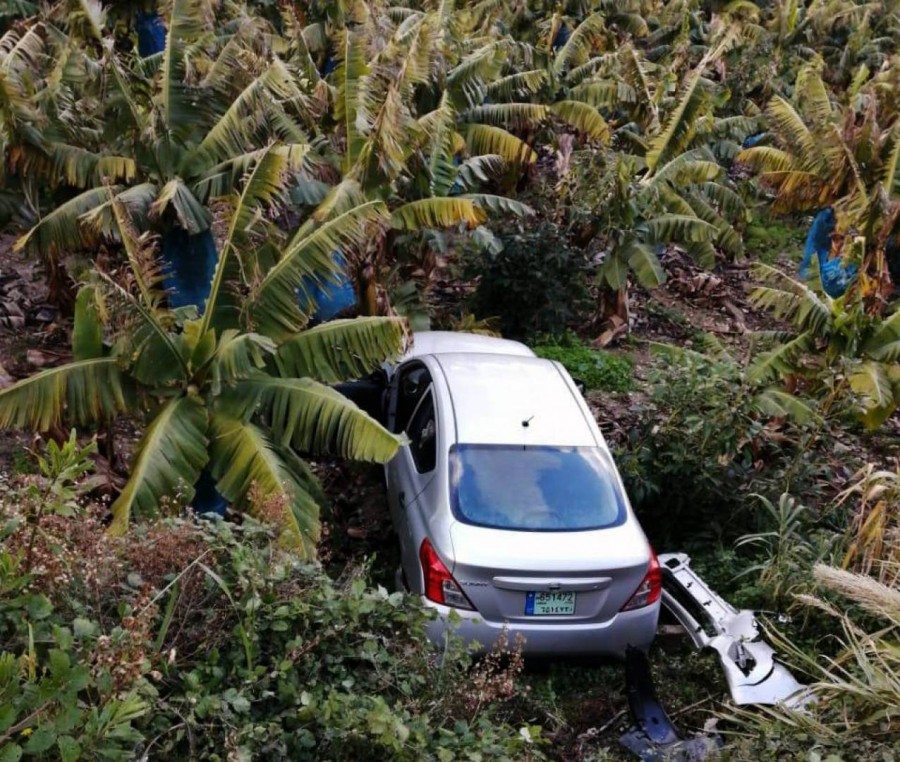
x: 493, y: 395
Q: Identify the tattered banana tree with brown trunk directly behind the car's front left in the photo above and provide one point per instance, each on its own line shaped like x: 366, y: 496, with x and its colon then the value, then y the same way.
x: 408, y: 160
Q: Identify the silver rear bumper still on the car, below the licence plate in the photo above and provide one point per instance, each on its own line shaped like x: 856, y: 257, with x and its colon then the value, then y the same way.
x: 610, y: 638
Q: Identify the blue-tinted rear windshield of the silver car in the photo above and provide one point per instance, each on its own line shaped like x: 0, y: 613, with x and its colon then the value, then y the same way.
x: 534, y: 488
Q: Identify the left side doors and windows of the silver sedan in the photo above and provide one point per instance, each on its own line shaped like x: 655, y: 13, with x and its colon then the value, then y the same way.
x: 409, y: 472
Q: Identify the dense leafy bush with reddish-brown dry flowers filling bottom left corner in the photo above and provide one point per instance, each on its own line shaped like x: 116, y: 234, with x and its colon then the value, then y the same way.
x: 206, y: 640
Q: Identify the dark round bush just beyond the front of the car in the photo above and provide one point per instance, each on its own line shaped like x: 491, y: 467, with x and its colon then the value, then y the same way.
x: 535, y: 284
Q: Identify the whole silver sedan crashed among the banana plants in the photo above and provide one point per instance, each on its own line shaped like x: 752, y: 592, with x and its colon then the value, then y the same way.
x: 509, y: 509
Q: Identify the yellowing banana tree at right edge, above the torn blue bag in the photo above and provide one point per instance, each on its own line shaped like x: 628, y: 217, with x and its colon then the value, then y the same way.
x: 828, y: 155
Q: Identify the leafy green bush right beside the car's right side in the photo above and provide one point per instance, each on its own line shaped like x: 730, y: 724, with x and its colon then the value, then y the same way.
x: 708, y: 438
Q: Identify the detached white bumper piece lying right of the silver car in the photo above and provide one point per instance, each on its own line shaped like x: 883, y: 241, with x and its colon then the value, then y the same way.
x: 753, y: 675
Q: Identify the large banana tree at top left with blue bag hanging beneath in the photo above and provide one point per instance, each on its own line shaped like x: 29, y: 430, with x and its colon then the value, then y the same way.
x: 171, y: 133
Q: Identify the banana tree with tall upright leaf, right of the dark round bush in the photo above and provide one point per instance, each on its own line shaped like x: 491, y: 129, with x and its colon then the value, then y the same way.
x: 668, y: 189
